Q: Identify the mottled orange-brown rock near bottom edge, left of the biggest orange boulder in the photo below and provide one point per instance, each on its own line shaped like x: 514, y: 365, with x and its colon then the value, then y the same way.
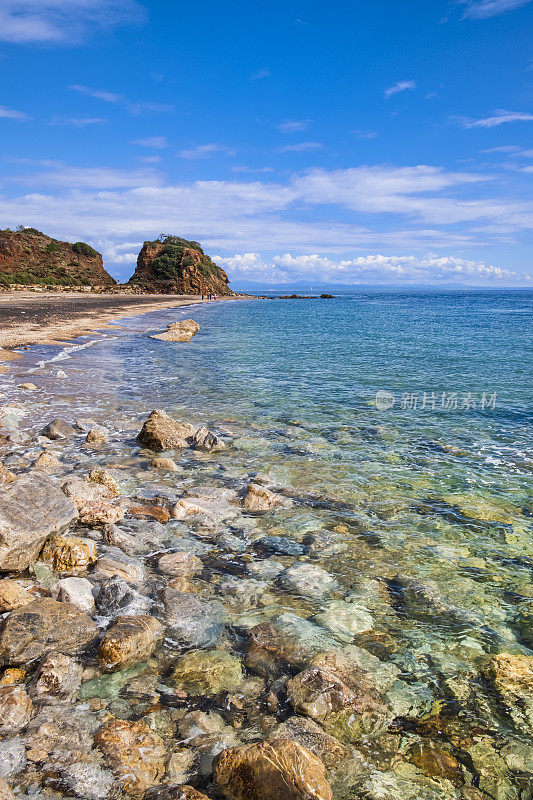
x: 135, y: 754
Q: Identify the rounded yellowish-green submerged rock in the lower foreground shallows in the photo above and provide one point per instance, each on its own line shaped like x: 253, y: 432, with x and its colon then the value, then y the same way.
x: 207, y: 672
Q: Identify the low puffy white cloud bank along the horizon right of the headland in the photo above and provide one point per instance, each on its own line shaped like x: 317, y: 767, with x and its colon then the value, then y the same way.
x: 406, y: 269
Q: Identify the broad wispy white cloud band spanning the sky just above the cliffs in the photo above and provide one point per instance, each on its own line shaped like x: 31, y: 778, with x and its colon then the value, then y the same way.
x: 342, y: 212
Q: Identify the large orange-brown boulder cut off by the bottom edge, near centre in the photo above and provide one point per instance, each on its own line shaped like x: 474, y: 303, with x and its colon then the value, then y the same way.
x: 275, y: 770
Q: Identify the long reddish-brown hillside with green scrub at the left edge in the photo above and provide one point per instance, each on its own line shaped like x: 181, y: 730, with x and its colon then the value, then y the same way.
x: 30, y: 257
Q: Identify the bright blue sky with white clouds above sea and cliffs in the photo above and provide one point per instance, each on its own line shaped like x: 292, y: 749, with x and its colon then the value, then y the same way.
x: 384, y: 141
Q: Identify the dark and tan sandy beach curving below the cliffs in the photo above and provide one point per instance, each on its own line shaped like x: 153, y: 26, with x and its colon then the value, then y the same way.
x: 53, y: 319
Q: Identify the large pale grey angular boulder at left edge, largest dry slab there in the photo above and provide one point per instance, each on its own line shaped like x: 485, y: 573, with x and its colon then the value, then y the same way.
x: 31, y: 509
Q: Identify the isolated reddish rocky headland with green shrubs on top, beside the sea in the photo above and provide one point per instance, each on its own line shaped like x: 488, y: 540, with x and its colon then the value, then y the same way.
x: 177, y: 266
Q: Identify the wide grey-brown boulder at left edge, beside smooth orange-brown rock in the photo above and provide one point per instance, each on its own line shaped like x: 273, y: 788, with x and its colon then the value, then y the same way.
x: 43, y: 626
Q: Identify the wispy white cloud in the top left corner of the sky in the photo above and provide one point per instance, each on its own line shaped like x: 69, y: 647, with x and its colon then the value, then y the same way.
x: 63, y: 21
